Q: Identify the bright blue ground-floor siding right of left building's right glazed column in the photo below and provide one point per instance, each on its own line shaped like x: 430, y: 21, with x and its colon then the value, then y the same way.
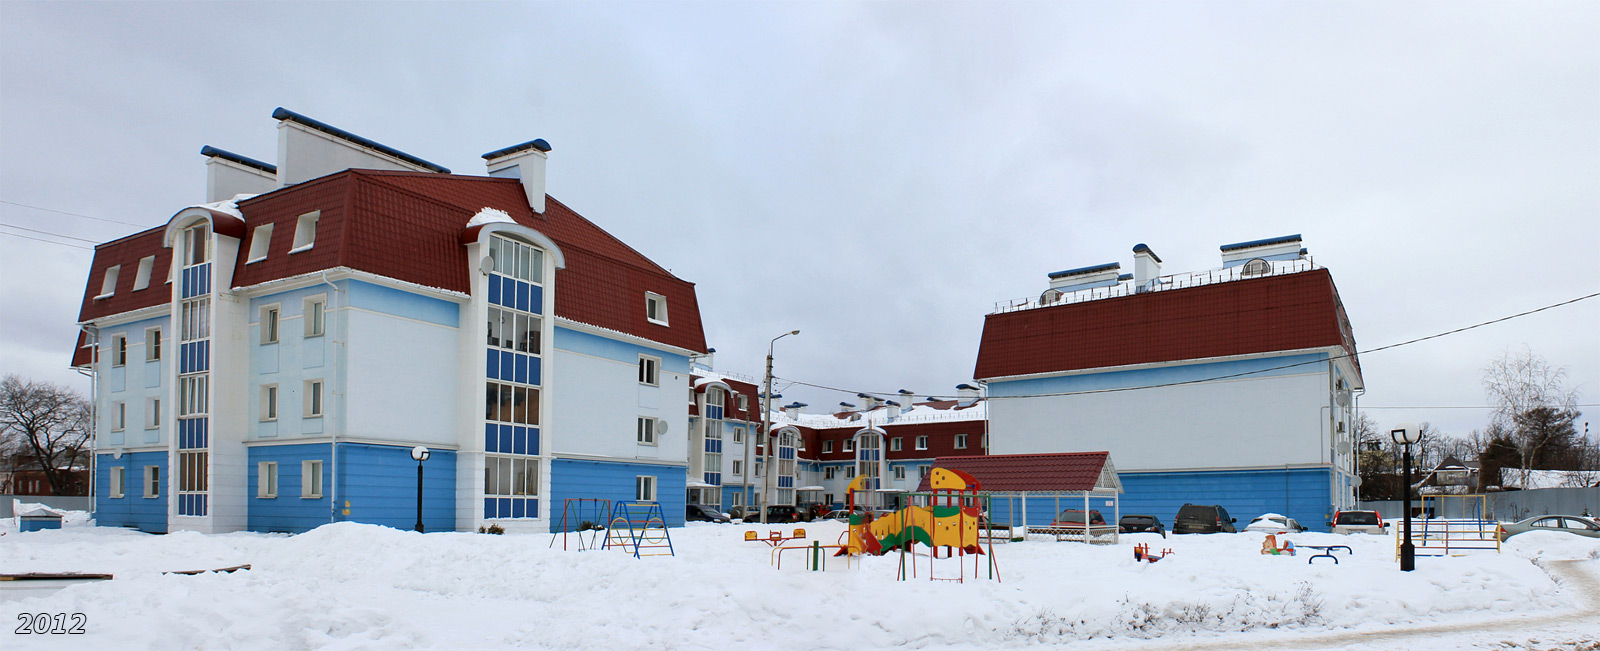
x: 574, y: 479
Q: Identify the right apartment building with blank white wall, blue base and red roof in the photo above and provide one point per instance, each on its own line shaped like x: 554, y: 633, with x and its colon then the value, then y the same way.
x: 1233, y: 386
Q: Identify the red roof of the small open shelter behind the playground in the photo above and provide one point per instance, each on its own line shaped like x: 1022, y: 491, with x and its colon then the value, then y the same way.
x: 1028, y: 473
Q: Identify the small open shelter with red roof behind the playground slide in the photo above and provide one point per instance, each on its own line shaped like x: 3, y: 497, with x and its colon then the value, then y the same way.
x: 1033, y: 490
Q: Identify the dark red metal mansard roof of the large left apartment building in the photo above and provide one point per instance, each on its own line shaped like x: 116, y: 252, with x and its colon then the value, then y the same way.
x: 407, y: 226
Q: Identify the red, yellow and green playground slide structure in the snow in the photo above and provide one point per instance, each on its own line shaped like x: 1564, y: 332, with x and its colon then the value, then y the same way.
x: 951, y: 521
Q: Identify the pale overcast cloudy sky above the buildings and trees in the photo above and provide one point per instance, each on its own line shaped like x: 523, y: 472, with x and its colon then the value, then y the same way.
x: 879, y: 175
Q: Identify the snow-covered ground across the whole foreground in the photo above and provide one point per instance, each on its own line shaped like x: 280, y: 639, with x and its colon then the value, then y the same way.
x: 358, y: 586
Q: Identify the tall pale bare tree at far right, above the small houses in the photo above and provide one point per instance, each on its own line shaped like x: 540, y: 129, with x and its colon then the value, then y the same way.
x: 1530, y: 399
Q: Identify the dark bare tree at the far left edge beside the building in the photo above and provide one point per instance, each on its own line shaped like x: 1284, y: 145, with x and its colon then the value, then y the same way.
x: 46, y: 423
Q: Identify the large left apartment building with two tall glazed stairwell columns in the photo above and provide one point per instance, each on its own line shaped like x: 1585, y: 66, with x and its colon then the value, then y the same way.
x: 266, y: 361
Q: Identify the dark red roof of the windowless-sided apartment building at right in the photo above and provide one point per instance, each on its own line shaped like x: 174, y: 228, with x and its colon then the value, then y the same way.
x: 1279, y: 313
